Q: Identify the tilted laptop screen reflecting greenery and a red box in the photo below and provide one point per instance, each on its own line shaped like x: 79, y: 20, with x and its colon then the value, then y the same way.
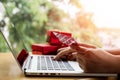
x: 17, y: 46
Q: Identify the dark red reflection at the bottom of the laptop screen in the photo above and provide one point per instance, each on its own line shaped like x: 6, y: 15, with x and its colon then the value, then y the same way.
x: 22, y: 56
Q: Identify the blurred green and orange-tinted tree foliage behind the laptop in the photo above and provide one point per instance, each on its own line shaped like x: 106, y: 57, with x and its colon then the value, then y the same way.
x: 32, y: 18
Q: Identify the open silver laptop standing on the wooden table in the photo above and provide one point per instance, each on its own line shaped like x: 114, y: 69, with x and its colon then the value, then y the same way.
x: 42, y: 65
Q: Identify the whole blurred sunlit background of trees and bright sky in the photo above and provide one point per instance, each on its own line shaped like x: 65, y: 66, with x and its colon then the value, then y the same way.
x: 95, y: 22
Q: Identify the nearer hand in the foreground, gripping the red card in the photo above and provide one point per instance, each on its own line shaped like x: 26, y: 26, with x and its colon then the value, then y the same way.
x: 96, y: 60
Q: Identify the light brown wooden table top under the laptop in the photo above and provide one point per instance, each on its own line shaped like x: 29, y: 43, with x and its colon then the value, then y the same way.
x: 9, y: 70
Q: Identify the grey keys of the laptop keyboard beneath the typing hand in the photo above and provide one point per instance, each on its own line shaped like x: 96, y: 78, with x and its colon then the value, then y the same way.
x: 47, y: 63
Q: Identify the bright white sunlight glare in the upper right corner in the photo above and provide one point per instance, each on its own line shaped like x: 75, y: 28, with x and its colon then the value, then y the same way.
x: 106, y: 12
